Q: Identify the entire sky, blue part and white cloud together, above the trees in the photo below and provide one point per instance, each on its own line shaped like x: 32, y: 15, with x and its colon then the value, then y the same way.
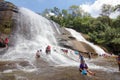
x: 91, y: 6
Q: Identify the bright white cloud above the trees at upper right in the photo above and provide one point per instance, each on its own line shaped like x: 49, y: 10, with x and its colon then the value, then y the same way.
x: 95, y: 8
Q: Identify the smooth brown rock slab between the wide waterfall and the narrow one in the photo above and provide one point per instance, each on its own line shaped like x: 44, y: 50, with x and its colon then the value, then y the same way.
x: 68, y: 41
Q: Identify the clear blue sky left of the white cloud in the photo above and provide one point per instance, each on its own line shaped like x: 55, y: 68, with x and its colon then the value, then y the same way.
x: 41, y: 5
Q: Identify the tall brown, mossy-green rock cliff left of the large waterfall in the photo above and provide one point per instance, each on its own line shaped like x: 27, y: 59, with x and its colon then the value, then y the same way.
x: 7, y: 11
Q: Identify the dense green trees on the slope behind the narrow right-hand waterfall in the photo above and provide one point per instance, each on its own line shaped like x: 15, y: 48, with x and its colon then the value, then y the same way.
x: 102, y: 30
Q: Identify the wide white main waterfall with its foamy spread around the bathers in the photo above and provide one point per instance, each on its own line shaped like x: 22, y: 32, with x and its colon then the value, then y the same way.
x: 33, y: 33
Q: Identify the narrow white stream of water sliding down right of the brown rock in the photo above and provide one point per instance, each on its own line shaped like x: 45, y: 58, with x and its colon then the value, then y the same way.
x: 79, y: 37
